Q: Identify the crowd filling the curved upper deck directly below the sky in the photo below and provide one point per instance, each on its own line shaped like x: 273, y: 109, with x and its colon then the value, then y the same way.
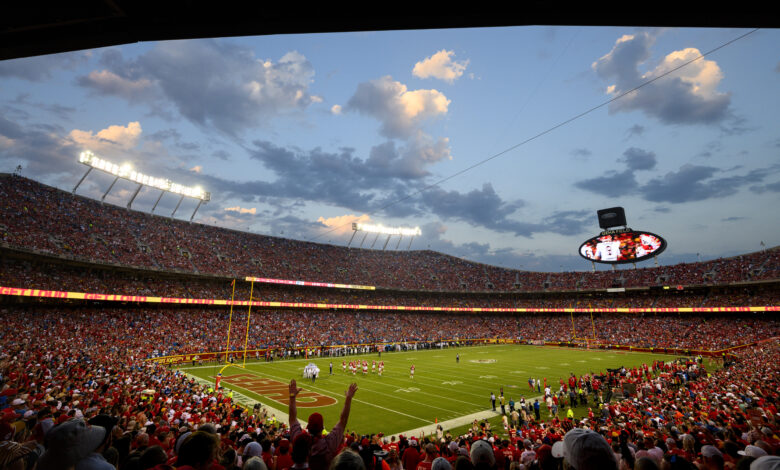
x: 47, y: 220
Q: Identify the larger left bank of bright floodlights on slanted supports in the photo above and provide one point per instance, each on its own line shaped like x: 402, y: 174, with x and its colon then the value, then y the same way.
x: 127, y: 172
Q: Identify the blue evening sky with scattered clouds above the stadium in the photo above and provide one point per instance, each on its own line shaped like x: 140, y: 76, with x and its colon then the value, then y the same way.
x: 499, y: 143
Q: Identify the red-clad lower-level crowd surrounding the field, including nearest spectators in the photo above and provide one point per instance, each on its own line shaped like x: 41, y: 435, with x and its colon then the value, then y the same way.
x: 158, y: 418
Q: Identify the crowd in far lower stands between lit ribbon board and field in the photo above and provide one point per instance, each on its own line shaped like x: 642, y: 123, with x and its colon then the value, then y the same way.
x: 165, y: 328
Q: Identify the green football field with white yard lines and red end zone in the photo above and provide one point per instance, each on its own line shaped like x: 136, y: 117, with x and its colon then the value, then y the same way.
x: 441, y: 389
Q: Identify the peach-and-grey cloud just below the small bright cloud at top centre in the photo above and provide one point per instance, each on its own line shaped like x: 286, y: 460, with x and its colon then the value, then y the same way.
x: 400, y: 110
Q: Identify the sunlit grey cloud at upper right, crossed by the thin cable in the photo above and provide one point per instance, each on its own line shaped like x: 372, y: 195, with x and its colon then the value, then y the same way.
x: 687, y: 96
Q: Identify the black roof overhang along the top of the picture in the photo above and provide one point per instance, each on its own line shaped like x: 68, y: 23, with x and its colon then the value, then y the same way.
x: 30, y: 29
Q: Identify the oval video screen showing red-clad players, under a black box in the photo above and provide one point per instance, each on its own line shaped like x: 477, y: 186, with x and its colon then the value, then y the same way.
x: 626, y: 247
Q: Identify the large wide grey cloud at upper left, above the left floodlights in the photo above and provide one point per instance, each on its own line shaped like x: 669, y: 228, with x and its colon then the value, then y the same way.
x: 212, y: 83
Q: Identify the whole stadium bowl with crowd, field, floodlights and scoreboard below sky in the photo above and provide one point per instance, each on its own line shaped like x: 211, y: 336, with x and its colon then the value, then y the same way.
x: 133, y: 340
